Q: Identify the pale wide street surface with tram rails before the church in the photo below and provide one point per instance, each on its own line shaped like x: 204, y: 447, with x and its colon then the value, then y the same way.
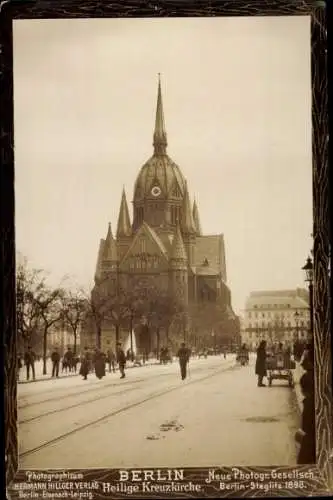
x: 217, y: 416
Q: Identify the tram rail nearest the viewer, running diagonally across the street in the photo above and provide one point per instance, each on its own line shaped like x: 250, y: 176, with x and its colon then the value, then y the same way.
x: 125, y: 408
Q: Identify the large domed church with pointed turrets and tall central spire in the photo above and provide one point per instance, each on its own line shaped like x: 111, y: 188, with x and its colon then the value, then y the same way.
x: 163, y: 246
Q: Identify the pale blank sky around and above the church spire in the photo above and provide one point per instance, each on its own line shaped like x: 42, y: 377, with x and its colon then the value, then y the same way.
x: 237, y: 105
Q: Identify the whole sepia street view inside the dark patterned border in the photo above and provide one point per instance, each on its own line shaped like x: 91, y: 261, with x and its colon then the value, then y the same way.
x: 164, y: 243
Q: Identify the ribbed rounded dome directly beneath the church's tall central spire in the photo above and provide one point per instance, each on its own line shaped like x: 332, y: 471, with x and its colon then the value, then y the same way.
x: 159, y: 172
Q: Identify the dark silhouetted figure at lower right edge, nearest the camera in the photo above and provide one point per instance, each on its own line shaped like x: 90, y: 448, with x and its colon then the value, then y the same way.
x: 305, y: 436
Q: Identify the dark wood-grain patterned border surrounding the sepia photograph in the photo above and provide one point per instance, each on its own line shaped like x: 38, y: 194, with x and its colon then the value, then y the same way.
x: 52, y: 9
